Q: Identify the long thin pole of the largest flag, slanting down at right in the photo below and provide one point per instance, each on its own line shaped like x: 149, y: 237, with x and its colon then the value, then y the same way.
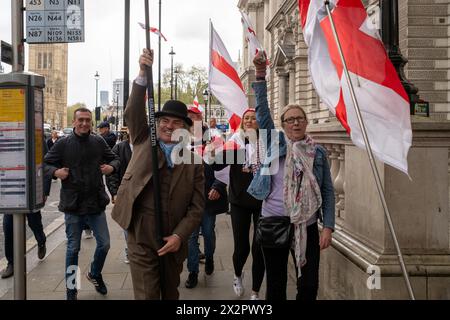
x: 370, y: 154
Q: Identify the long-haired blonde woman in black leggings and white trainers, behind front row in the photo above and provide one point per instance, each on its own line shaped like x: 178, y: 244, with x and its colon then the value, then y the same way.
x: 247, y: 156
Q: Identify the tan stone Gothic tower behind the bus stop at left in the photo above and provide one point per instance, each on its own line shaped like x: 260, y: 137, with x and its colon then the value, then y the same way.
x: 50, y: 61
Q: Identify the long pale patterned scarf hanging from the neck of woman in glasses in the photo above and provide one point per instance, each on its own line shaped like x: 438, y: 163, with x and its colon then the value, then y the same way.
x: 302, y: 197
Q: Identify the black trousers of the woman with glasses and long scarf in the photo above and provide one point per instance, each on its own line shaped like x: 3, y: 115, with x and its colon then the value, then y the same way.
x: 276, y: 261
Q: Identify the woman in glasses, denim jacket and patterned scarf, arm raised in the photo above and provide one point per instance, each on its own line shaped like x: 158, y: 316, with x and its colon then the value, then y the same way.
x: 299, y: 188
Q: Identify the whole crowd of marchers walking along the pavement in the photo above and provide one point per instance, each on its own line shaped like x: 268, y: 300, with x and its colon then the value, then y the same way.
x: 277, y: 182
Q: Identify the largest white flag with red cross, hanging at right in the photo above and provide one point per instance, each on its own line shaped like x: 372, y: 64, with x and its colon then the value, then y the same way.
x: 381, y: 97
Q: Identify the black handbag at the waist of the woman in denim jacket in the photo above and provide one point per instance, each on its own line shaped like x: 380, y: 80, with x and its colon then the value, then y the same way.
x: 274, y: 232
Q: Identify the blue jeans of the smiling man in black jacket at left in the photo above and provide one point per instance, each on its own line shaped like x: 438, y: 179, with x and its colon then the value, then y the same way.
x: 74, y: 228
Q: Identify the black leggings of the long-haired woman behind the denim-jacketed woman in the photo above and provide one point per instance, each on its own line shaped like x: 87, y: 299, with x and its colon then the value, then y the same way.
x: 241, y: 218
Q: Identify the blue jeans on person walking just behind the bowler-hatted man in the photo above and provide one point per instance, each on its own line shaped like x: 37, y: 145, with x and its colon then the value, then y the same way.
x: 208, y: 225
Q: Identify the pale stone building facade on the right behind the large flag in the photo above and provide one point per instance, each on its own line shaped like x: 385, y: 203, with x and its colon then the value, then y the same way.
x: 362, y: 261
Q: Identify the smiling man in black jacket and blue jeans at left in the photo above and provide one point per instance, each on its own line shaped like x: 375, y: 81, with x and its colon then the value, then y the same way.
x: 80, y: 160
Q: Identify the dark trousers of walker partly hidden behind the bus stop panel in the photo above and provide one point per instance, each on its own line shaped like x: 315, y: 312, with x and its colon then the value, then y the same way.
x: 35, y: 224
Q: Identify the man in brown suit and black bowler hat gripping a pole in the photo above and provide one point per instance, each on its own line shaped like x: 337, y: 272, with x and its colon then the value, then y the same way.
x: 134, y: 209
